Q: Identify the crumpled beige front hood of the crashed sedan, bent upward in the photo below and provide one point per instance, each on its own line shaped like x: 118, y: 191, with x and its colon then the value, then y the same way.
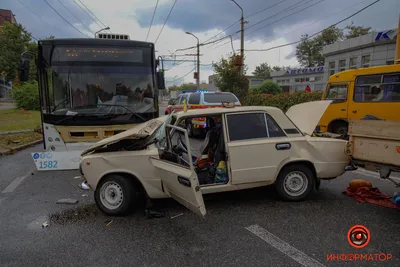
x: 138, y: 131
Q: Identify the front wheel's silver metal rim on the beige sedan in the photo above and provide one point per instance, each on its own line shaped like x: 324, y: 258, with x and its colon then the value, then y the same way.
x: 111, y: 195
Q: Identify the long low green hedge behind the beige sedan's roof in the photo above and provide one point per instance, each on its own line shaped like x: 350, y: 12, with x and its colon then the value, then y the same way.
x: 283, y: 101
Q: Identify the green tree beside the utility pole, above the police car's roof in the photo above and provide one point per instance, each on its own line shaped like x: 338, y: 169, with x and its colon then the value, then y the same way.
x: 229, y: 78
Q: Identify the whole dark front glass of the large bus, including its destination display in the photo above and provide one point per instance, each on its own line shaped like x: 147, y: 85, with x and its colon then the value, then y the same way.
x: 98, y: 81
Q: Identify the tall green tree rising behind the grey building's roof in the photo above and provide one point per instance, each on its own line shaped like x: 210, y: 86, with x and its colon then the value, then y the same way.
x: 309, y: 50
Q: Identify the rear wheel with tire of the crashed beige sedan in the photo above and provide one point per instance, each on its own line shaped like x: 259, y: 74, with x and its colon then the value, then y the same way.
x: 295, y: 182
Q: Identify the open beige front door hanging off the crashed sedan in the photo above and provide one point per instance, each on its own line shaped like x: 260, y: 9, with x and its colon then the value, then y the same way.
x: 178, y: 176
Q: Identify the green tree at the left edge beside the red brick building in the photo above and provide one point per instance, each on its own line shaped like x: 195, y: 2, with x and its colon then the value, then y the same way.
x: 14, y: 40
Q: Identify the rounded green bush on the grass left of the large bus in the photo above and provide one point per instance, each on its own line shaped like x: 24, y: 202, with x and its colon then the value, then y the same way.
x: 26, y: 96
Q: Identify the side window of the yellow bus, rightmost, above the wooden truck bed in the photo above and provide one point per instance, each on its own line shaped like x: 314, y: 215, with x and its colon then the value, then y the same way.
x: 377, y: 88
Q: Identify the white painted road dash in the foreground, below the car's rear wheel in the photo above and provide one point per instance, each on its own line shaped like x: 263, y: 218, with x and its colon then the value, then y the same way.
x: 284, y: 247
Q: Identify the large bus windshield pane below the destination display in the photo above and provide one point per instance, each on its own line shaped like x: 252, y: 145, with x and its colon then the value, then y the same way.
x: 101, y: 89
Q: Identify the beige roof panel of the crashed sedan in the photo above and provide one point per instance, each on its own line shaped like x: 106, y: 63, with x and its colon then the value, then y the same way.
x: 195, y: 112
